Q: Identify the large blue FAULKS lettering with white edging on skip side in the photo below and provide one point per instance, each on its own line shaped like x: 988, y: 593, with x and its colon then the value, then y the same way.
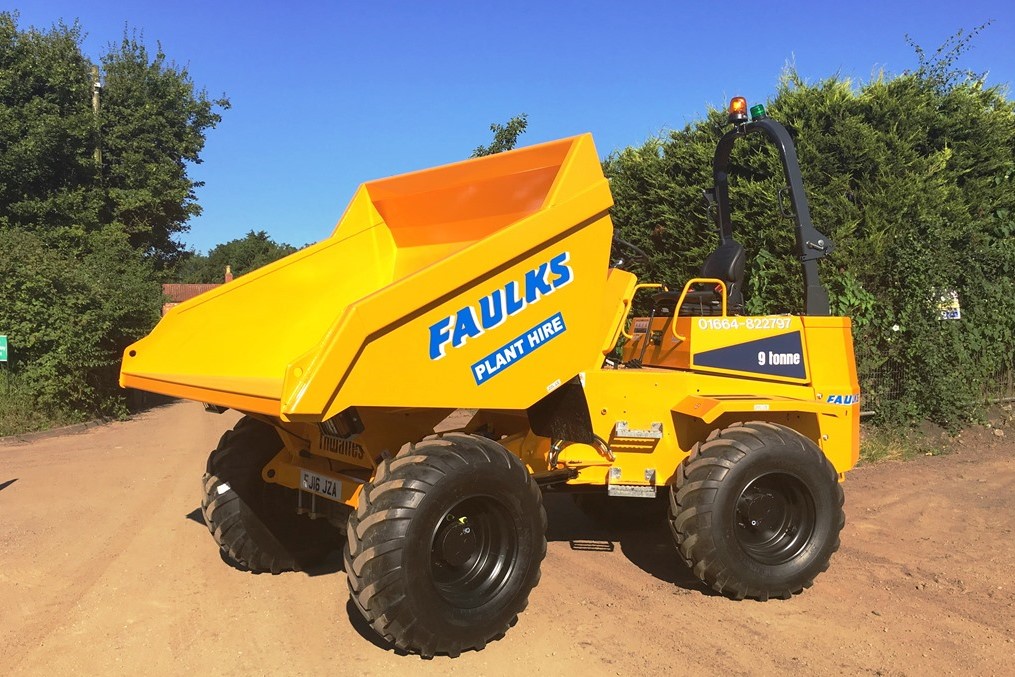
x: 493, y: 310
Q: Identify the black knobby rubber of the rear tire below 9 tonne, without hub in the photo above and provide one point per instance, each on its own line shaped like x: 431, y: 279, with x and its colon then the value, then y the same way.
x: 709, y: 481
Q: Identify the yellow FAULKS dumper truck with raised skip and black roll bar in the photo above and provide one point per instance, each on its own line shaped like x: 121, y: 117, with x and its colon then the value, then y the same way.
x: 488, y: 286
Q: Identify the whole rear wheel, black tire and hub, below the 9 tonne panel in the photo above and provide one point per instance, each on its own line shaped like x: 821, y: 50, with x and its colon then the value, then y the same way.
x: 757, y: 512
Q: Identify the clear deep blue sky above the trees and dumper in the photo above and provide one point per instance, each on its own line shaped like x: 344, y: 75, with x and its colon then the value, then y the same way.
x: 328, y: 95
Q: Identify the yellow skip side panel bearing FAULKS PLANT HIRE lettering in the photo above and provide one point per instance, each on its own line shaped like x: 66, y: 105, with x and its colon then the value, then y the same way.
x: 518, y: 331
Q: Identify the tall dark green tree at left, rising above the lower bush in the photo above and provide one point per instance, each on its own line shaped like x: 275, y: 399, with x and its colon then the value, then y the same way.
x: 152, y: 126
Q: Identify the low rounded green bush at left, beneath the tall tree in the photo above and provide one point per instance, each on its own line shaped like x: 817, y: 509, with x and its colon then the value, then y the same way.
x: 72, y: 303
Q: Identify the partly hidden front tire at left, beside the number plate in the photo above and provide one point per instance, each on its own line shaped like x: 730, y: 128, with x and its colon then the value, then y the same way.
x: 256, y: 523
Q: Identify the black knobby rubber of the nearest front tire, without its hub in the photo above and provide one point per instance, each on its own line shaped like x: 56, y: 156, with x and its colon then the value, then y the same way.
x: 388, y: 578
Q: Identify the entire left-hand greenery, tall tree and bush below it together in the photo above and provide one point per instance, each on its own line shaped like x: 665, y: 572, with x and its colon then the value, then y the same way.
x: 90, y: 207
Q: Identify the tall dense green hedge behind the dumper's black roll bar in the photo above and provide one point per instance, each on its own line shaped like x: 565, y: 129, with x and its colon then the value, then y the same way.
x: 911, y: 176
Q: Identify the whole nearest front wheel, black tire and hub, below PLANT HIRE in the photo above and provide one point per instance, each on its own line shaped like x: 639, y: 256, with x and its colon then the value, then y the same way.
x: 446, y: 546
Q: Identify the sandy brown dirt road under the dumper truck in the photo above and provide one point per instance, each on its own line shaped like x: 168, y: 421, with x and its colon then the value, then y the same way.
x: 107, y: 569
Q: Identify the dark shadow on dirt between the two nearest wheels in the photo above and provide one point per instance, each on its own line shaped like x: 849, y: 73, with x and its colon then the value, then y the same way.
x: 647, y: 546
